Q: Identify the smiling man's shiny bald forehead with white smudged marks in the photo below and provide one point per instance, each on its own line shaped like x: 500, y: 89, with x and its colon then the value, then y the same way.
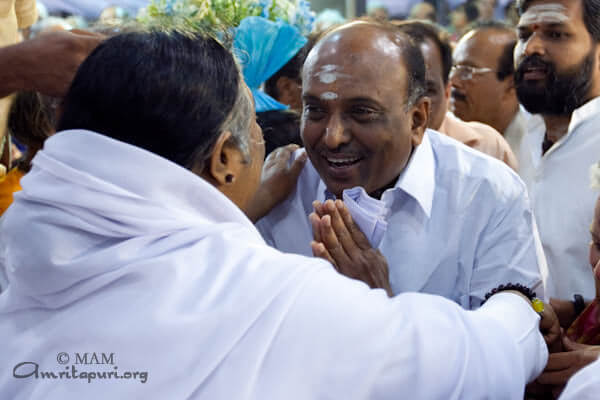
x: 358, y: 57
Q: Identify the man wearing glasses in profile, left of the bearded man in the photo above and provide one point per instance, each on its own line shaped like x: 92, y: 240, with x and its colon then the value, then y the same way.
x: 482, y: 81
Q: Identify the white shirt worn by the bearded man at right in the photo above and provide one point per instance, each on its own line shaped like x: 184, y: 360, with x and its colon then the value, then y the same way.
x: 562, y: 199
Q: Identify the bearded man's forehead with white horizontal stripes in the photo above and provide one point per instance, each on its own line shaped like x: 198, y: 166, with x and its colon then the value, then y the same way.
x: 552, y: 12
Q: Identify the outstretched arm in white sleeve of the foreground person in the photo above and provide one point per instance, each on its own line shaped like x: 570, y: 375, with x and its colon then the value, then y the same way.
x: 354, y: 343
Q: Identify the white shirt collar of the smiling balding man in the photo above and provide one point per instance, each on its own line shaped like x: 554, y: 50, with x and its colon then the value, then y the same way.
x: 417, y: 180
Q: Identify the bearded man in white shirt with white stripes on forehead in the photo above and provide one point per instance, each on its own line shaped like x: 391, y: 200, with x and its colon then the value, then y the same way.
x: 558, y: 76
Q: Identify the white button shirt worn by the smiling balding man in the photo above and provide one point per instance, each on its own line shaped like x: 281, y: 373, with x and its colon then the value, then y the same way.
x: 460, y: 223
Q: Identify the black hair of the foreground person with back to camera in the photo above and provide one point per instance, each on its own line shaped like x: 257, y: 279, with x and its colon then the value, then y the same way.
x: 167, y: 92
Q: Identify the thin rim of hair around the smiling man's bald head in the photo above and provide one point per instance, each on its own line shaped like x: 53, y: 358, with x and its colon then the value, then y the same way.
x: 410, y: 51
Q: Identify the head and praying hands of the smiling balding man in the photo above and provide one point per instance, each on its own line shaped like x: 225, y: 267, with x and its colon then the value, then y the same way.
x: 353, y: 111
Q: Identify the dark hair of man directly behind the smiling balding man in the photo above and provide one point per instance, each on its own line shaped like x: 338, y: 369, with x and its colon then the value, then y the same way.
x: 419, y: 31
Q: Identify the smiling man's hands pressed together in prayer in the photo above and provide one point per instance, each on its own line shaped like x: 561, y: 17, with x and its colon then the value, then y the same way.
x: 340, y: 241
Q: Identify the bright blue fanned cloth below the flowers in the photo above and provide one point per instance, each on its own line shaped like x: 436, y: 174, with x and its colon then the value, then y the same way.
x: 263, y: 48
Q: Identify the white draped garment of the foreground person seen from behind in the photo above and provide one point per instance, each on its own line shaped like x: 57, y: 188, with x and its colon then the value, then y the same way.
x: 116, y: 252
